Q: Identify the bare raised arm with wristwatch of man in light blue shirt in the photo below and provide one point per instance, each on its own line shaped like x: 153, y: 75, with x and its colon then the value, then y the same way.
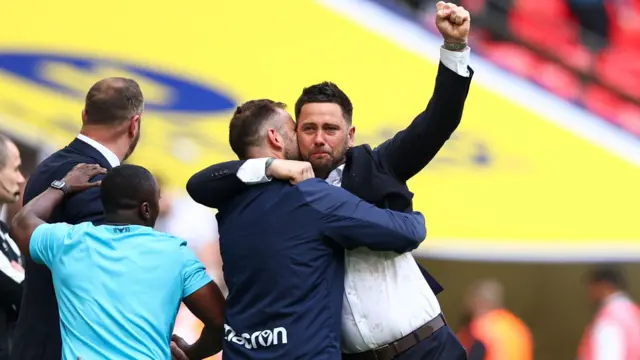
x: 38, y: 210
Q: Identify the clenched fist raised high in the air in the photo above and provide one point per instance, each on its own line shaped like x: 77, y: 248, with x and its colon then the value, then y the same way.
x: 453, y: 22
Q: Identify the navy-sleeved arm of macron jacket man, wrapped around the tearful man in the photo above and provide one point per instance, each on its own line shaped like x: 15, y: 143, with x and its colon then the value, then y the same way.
x: 353, y: 222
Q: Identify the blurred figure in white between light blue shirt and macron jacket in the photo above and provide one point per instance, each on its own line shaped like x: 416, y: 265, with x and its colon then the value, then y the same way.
x: 182, y: 217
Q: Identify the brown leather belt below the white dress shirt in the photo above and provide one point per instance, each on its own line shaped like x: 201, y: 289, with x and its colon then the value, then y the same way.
x: 390, y: 351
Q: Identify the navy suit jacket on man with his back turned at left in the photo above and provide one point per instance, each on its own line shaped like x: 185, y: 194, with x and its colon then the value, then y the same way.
x: 37, y: 334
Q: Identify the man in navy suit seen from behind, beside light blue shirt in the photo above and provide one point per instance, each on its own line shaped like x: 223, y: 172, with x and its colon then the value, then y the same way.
x: 109, y: 134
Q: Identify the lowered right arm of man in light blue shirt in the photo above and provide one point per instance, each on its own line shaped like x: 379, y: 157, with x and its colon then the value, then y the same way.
x: 207, y: 304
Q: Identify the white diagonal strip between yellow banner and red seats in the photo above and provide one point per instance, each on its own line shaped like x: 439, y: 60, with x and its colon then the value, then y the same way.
x: 414, y: 38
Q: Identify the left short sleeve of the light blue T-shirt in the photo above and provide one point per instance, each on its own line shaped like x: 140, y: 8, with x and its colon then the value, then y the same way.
x: 46, y: 242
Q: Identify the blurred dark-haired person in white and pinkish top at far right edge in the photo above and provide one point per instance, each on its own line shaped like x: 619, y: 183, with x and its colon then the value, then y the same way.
x: 614, y: 332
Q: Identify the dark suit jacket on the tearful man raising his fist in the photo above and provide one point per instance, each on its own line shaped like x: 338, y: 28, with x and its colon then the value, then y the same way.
x: 378, y: 176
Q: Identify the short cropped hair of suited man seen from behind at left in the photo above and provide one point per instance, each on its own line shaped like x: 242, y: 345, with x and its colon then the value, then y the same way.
x: 113, y: 100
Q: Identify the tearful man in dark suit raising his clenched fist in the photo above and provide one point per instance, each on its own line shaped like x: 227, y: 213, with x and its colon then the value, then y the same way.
x: 390, y: 311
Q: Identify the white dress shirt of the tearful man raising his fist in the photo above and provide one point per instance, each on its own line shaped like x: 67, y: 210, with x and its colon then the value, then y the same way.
x: 386, y: 296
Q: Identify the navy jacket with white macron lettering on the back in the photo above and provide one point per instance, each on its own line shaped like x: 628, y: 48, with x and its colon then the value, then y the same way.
x: 286, y: 283
